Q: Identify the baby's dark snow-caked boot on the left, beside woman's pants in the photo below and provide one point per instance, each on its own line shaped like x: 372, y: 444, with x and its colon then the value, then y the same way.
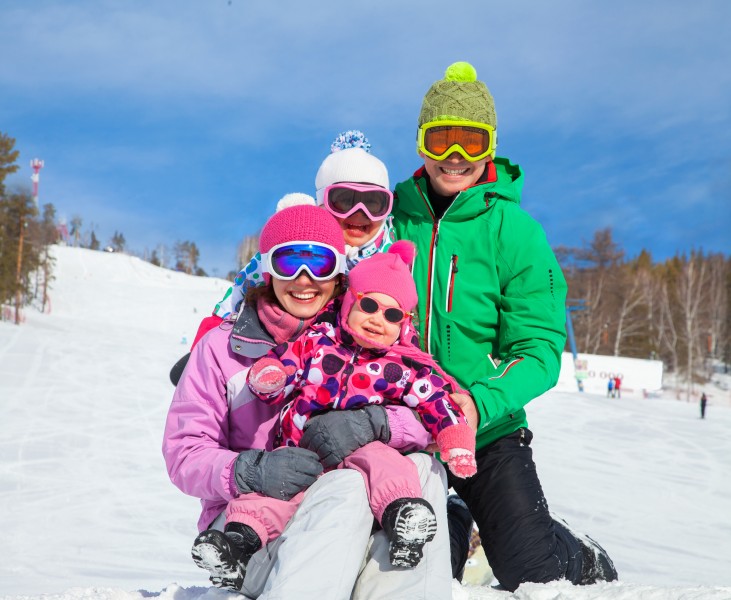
x: 225, y: 555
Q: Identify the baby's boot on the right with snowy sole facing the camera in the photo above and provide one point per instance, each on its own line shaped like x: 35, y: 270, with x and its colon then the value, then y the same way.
x: 409, y: 523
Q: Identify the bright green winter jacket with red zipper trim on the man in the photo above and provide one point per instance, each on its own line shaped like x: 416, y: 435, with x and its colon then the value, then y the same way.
x: 491, y: 294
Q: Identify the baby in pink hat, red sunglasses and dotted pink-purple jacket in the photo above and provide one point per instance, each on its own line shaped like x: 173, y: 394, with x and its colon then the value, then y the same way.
x: 366, y: 353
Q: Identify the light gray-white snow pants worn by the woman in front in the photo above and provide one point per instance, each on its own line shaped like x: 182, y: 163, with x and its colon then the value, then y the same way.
x: 327, y: 551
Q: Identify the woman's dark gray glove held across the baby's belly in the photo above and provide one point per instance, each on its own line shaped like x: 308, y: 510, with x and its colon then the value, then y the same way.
x: 338, y: 433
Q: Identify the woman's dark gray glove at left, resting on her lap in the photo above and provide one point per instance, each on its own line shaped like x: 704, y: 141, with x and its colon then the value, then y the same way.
x: 279, y: 474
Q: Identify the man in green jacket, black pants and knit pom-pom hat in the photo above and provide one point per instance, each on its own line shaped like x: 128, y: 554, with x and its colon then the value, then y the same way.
x: 492, y: 312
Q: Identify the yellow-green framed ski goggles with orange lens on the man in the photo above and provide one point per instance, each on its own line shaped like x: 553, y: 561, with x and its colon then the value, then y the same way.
x: 474, y: 141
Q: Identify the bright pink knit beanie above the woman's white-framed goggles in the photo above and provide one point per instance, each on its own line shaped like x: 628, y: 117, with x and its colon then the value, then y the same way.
x: 301, y: 223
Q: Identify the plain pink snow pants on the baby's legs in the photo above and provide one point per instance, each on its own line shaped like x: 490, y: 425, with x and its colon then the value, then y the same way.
x: 388, y: 476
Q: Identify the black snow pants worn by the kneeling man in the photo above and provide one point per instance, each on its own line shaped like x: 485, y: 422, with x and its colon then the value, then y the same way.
x: 522, y: 542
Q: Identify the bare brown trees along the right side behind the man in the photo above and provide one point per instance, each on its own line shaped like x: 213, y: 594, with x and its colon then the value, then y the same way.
x: 677, y: 310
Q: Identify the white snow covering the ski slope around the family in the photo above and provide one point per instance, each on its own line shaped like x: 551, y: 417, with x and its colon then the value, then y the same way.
x: 87, y: 510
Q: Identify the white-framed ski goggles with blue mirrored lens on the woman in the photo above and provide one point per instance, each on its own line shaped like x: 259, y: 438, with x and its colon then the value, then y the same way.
x: 286, y: 261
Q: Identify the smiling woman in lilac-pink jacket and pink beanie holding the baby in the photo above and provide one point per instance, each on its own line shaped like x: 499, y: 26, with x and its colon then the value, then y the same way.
x: 219, y: 444
